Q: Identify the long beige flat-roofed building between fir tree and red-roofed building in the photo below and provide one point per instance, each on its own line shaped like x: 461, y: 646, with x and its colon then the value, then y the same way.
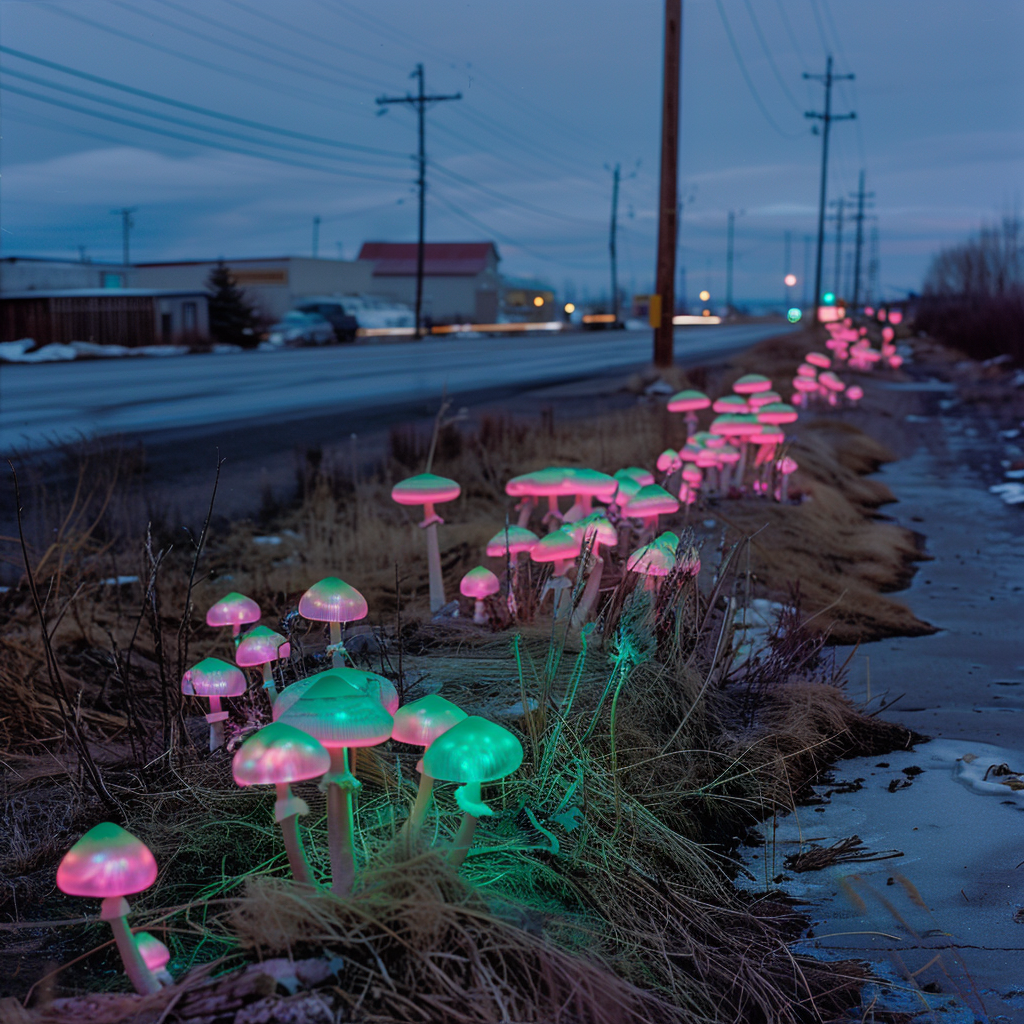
x: 273, y: 285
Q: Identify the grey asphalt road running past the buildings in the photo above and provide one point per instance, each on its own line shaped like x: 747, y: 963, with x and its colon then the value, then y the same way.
x: 185, y: 397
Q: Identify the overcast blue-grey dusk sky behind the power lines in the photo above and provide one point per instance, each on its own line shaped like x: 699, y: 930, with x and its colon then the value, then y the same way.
x: 553, y: 92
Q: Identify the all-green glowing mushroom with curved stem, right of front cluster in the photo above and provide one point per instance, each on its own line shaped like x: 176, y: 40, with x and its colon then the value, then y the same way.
x: 474, y: 752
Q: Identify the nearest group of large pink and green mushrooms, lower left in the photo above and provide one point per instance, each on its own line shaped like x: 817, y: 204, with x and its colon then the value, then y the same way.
x: 319, y: 726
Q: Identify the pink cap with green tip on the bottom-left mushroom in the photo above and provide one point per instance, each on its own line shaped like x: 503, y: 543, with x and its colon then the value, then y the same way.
x: 107, y: 862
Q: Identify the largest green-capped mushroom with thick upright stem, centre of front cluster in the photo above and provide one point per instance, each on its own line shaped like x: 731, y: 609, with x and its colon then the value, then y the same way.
x: 340, y: 718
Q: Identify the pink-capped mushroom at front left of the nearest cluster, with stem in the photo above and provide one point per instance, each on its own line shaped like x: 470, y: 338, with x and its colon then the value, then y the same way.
x: 278, y: 756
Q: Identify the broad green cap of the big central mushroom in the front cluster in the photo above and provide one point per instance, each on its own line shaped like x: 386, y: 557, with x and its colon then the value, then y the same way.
x: 331, y: 713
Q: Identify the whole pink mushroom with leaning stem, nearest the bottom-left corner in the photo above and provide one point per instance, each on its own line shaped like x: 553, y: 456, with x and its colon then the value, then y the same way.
x: 109, y: 864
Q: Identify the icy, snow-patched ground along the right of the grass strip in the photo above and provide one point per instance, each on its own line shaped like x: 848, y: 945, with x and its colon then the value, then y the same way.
x: 952, y: 908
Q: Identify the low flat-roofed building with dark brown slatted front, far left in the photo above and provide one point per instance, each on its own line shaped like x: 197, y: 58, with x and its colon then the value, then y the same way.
x: 131, y: 317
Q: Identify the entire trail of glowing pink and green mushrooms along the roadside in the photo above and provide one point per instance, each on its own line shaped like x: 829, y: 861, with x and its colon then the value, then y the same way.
x: 321, y: 722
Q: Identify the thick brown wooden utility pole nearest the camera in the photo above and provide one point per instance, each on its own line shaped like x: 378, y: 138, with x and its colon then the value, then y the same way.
x: 668, y: 211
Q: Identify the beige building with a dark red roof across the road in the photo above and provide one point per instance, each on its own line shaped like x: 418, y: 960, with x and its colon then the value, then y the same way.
x: 461, y: 281
